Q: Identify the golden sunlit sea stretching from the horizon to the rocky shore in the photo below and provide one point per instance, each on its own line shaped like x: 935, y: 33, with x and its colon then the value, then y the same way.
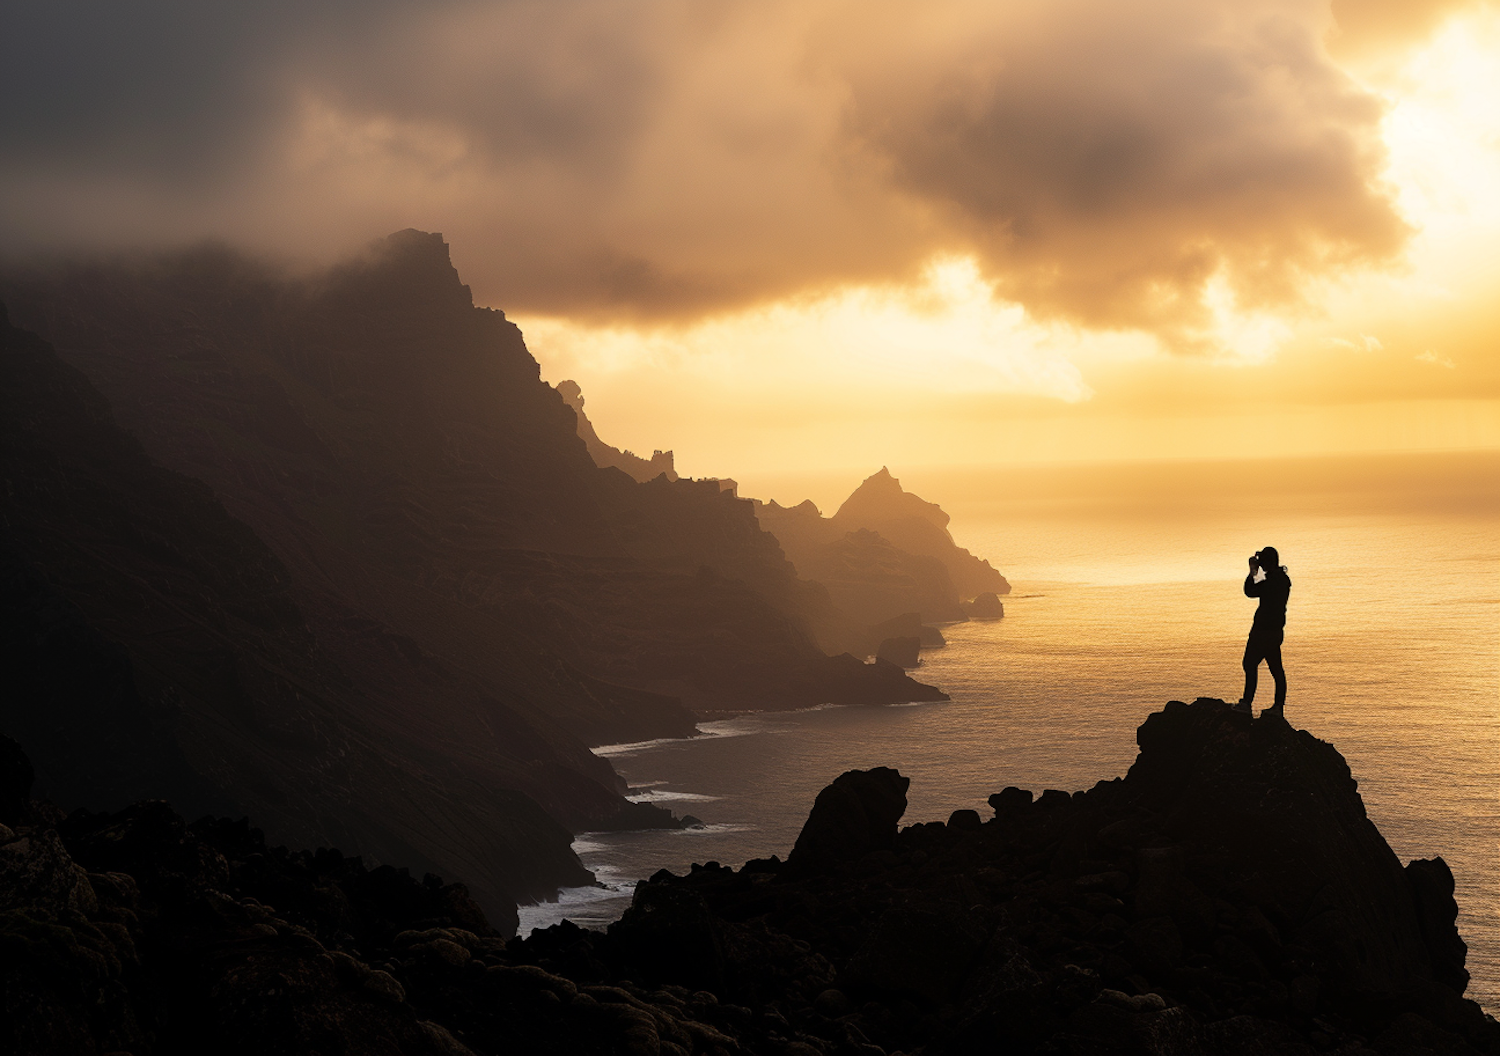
x: 1127, y: 596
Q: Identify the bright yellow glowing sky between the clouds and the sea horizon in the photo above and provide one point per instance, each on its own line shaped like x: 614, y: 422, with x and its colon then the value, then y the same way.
x: 946, y: 371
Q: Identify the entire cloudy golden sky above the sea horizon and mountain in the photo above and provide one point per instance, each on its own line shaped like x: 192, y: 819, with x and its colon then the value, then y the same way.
x: 830, y: 235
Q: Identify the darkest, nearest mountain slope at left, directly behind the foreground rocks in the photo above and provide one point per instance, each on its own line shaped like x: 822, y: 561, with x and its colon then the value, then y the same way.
x: 154, y: 647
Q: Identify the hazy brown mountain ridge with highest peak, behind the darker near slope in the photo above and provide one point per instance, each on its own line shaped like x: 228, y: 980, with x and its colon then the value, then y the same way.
x: 398, y: 452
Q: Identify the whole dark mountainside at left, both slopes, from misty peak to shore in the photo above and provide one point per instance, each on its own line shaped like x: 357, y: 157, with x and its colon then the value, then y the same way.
x: 334, y: 554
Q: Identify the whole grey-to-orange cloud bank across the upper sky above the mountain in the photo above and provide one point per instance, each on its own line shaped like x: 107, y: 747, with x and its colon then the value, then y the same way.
x: 1109, y: 166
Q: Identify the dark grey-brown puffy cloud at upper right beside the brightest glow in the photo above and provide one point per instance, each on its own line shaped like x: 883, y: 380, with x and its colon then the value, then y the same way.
x: 1109, y: 160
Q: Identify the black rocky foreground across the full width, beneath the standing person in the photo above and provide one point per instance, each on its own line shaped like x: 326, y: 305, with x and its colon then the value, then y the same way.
x: 1228, y: 896
